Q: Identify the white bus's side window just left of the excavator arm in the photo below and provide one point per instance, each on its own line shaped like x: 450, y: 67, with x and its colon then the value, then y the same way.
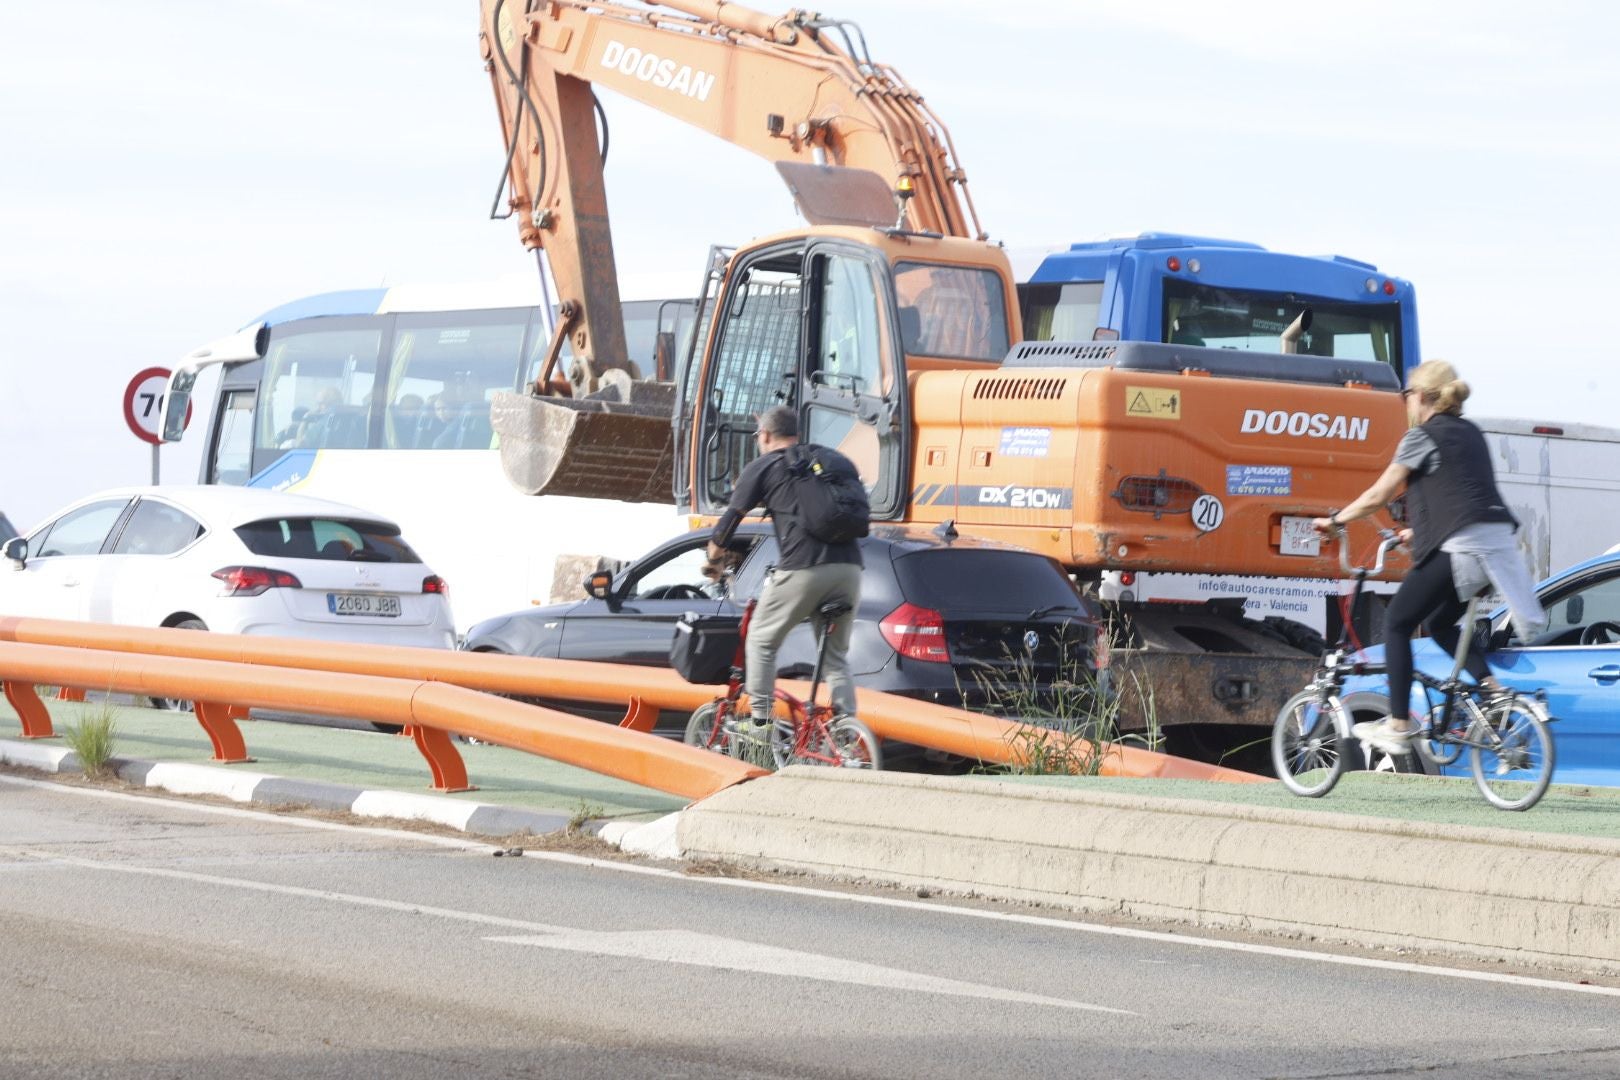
x: 443, y: 375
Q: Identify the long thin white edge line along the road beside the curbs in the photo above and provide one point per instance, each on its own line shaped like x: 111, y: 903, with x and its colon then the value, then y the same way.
x: 829, y: 895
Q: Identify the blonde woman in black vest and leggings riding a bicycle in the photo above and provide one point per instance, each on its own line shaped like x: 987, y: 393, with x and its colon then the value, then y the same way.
x: 1460, y: 537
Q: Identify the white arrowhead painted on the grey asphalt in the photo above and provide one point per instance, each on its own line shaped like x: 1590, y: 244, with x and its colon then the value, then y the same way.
x: 684, y: 946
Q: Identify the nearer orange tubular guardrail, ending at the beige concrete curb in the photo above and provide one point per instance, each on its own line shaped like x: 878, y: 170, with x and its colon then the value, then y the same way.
x: 432, y: 710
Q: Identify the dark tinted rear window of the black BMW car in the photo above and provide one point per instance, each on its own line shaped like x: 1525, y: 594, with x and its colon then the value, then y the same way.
x: 960, y: 580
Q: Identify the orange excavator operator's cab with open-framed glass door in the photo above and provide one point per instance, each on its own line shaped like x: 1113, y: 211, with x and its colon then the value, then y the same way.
x: 824, y: 323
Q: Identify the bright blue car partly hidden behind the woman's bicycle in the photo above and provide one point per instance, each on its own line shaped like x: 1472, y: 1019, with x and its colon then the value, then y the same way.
x: 1575, y: 661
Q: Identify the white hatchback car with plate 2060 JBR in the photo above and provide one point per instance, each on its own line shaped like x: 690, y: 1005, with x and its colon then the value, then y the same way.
x: 228, y: 559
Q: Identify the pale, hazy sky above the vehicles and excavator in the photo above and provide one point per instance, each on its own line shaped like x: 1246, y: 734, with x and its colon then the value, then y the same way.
x: 173, y: 169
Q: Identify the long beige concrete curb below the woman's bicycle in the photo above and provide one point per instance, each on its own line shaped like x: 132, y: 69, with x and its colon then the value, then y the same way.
x: 1491, y: 895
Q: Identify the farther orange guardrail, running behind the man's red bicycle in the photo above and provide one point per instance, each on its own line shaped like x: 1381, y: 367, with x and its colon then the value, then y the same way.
x: 641, y: 689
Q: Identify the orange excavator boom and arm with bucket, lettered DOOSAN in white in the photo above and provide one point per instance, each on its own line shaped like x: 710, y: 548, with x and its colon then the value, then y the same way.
x: 798, y: 90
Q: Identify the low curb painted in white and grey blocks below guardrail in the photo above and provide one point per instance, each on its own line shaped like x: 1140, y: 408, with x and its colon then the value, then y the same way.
x: 273, y: 791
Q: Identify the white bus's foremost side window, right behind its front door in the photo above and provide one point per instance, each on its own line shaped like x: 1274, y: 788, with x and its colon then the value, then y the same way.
x: 317, y: 389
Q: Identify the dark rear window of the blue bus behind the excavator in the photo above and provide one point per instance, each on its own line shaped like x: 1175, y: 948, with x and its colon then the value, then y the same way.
x: 1230, y: 318
